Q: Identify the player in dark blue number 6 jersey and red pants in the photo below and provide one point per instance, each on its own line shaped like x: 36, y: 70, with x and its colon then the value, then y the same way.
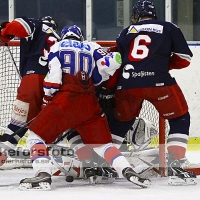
x: 149, y: 49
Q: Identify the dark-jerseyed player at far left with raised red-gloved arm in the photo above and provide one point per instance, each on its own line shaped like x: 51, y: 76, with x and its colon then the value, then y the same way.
x: 36, y: 38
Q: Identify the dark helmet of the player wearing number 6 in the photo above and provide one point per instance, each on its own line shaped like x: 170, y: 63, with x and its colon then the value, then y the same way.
x: 143, y: 8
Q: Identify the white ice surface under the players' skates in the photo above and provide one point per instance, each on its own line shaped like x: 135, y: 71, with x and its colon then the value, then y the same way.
x: 80, y: 190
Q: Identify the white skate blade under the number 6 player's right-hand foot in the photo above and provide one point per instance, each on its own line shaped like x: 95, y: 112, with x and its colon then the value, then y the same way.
x: 176, y: 181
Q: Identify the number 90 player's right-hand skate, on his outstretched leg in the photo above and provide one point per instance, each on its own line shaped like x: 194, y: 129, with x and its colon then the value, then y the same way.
x: 135, y: 178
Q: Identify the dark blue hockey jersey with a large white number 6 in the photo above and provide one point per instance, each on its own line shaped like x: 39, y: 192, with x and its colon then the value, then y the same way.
x: 149, y: 49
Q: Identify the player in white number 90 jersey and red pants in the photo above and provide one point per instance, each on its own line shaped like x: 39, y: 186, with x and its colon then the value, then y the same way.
x: 75, y: 67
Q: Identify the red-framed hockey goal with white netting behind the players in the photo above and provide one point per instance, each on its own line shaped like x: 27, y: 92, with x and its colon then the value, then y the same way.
x: 9, y: 82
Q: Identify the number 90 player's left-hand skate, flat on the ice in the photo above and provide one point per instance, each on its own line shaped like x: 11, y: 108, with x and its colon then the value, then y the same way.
x: 41, y: 182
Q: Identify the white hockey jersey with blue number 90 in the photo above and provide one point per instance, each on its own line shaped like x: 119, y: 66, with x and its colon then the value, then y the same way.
x: 71, y: 56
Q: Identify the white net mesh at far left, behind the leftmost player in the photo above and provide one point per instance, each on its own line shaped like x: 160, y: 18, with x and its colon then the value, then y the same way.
x: 9, y: 82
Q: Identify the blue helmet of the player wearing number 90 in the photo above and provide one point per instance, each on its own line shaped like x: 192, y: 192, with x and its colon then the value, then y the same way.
x: 72, y: 32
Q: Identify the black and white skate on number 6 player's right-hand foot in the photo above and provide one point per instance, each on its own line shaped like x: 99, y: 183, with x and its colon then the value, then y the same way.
x: 179, y: 176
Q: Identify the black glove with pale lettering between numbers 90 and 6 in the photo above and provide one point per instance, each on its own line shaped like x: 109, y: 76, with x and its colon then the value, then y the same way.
x: 106, y: 99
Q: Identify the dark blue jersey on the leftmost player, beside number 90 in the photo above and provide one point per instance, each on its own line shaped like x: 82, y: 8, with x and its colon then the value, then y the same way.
x: 34, y: 48
